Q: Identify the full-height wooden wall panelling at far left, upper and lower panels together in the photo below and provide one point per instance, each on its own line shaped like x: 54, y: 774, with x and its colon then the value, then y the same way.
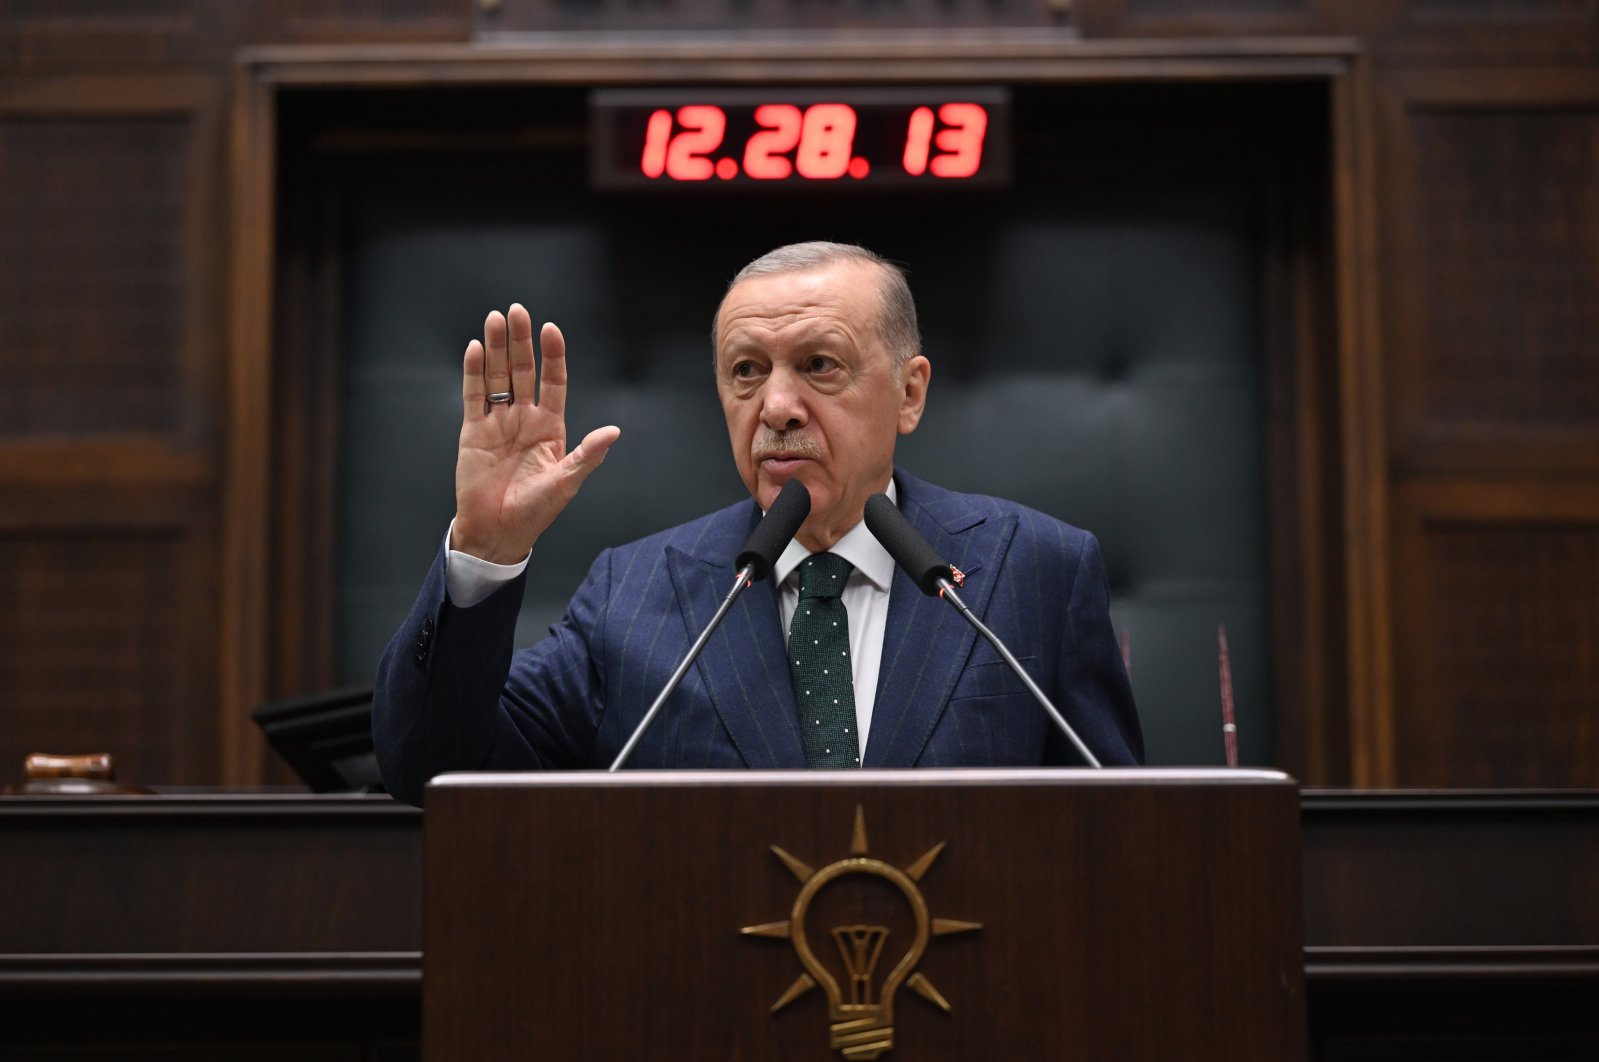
x: 110, y: 359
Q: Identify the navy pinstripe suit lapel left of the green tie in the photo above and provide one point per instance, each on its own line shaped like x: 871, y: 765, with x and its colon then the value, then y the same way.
x: 744, y: 663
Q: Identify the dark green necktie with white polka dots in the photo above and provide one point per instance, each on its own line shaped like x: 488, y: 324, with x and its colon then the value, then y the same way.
x: 821, y: 668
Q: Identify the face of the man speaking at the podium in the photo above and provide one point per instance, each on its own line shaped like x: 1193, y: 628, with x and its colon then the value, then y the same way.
x: 810, y: 391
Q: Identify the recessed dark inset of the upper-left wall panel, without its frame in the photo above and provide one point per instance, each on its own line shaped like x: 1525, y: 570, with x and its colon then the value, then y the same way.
x: 86, y: 201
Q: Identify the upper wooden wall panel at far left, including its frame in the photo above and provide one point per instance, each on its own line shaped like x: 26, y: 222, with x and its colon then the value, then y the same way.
x: 110, y: 290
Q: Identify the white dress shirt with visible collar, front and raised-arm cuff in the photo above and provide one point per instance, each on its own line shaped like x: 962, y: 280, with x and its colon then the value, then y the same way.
x: 471, y: 580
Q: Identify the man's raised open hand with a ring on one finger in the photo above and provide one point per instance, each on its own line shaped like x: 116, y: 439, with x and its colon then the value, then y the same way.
x: 514, y: 474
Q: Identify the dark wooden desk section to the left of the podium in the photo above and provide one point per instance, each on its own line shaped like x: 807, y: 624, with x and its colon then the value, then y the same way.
x: 210, y: 927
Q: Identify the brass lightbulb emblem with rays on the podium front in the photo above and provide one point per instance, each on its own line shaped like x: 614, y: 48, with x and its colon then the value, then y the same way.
x: 863, y: 1016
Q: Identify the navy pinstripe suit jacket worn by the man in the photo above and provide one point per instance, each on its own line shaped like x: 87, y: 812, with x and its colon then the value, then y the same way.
x: 453, y: 695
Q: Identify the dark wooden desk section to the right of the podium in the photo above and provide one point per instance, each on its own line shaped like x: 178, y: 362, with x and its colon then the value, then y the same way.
x: 1453, y: 925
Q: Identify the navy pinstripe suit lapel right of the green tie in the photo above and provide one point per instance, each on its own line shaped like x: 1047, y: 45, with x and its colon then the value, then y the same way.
x: 927, y: 642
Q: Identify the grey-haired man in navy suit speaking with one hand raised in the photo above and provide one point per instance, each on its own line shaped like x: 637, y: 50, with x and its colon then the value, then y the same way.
x: 837, y: 661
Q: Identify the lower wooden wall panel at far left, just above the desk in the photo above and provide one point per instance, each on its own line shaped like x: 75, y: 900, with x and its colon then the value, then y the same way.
x: 108, y: 641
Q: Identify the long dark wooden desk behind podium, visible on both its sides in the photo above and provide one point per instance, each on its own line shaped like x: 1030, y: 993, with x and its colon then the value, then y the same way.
x: 289, y: 927
